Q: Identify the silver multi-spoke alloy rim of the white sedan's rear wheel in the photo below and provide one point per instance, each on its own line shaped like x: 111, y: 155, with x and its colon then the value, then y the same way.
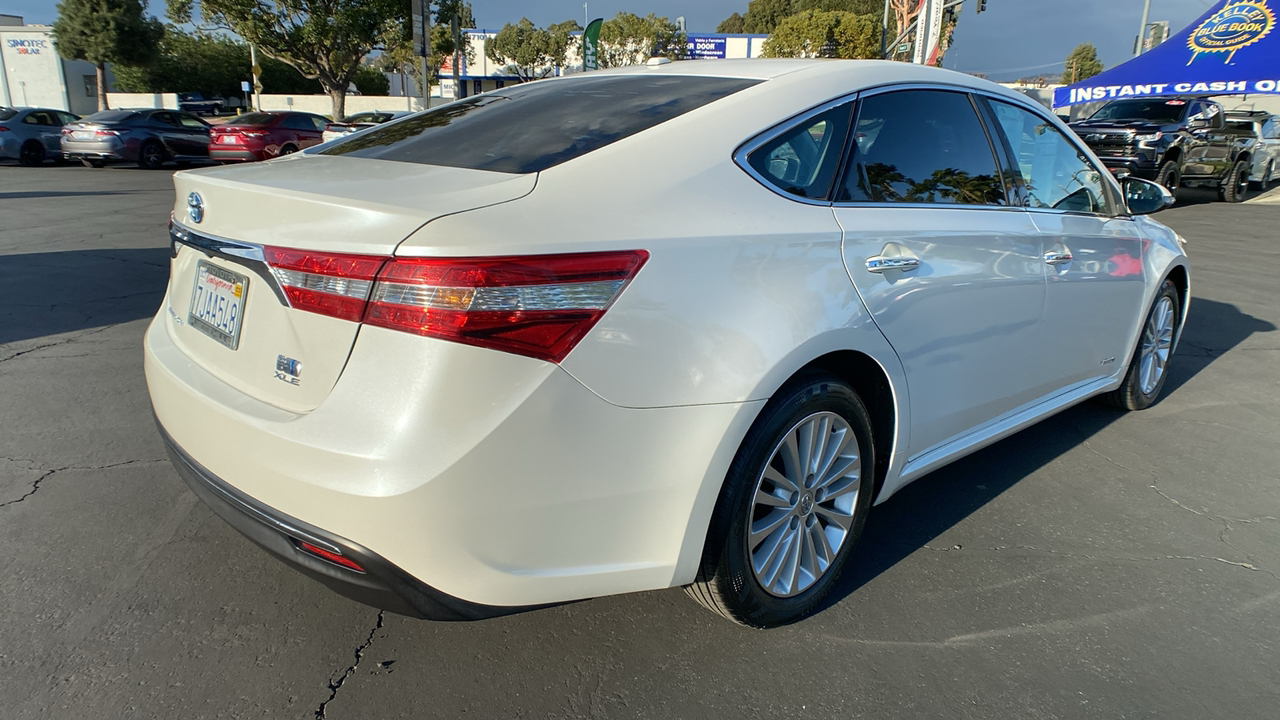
x: 804, y: 503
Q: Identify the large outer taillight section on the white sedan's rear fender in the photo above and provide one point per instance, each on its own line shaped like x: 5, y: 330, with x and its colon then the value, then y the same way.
x: 540, y: 306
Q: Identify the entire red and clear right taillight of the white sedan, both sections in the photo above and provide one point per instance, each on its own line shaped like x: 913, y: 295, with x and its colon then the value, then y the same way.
x: 536, y: 306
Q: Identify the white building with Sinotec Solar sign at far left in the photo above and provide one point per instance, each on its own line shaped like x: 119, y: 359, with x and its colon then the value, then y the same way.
x: 35, y: 76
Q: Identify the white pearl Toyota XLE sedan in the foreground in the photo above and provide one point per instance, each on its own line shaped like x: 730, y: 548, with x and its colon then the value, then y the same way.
x: 675, y: 325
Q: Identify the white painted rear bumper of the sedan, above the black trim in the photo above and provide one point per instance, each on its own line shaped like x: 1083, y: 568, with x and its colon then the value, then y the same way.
x: 496, y: 480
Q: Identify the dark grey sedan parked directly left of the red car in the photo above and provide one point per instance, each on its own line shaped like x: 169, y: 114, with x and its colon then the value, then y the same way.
x: 148, y: 138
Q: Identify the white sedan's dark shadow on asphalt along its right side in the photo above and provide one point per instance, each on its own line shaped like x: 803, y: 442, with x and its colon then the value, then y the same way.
x: 926, y: 509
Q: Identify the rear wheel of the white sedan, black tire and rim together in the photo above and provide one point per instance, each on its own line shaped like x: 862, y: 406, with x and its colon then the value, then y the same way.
x: 793, y: 507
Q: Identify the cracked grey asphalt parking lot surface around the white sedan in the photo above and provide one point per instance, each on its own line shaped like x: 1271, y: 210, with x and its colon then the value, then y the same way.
x: 1098, y: 566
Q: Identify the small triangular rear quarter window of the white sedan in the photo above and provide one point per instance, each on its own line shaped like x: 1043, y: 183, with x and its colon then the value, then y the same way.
x: 803, y: 161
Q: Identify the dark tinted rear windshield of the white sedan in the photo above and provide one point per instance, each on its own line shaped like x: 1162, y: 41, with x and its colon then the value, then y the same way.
x: 536, y: 126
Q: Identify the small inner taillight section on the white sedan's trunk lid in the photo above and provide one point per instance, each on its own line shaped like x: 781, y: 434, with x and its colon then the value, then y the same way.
x: 328, y: 284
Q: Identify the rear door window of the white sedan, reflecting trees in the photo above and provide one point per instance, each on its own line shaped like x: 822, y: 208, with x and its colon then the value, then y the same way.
x: 922, y: 147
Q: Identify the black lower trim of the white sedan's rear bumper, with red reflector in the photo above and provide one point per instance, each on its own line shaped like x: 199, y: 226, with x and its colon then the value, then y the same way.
x: 383, y: 585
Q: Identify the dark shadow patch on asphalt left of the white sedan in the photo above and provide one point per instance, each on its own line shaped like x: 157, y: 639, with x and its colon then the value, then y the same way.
x: 49, y: 294
